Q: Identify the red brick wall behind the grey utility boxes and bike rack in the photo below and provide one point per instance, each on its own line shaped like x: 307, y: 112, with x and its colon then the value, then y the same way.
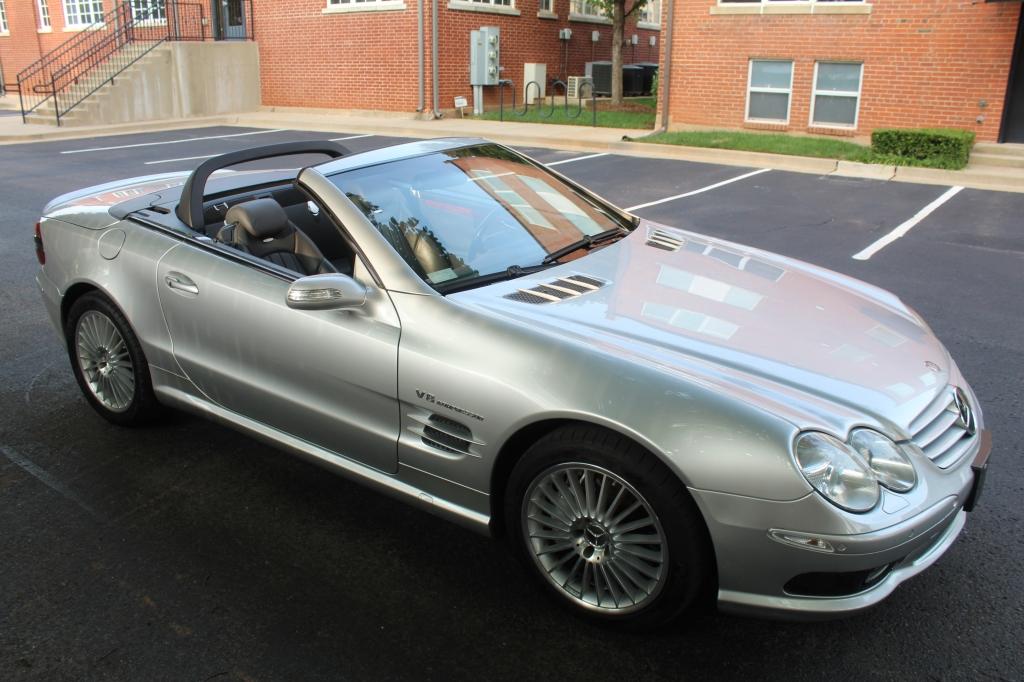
x: 369, y: 60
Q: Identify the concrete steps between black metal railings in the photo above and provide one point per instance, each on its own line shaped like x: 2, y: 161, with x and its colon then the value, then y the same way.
x: 91, y: 111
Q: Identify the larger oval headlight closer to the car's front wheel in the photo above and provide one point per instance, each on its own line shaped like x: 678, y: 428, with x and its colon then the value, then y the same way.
x: 837, y: 472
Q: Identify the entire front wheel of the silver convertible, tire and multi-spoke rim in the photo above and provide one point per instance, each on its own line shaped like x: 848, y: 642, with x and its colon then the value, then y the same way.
x: 635, y: 570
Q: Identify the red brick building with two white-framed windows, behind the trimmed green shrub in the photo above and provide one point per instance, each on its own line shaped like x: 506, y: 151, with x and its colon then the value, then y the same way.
x: 847, y: 68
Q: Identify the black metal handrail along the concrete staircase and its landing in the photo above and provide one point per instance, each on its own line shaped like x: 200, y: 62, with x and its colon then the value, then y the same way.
x: 83, y: 65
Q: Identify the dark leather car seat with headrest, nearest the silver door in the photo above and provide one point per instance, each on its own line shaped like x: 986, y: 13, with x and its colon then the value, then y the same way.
x: 262, y: 228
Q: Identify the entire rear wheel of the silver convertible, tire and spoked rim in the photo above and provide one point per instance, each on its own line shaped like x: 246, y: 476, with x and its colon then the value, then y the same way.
x: 109, y: 363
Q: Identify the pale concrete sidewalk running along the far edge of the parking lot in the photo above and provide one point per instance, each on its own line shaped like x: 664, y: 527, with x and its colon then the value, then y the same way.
x: 580, y: 139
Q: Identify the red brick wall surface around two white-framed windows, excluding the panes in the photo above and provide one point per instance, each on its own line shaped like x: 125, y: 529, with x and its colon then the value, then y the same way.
x: 927, y: 63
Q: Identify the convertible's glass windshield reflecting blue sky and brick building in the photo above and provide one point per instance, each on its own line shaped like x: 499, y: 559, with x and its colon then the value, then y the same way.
x: 476, y: 211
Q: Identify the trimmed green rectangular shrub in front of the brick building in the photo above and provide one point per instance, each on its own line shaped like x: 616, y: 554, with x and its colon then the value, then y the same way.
x: 937, y: 148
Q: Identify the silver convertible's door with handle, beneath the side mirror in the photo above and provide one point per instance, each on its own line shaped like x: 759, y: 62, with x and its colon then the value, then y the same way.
x: 328, y: 377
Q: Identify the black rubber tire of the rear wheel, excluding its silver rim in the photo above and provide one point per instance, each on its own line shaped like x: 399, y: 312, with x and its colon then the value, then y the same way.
x: 144, y: 403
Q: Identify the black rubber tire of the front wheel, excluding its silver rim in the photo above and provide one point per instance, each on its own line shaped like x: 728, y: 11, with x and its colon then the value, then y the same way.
x: 691, y: 568
